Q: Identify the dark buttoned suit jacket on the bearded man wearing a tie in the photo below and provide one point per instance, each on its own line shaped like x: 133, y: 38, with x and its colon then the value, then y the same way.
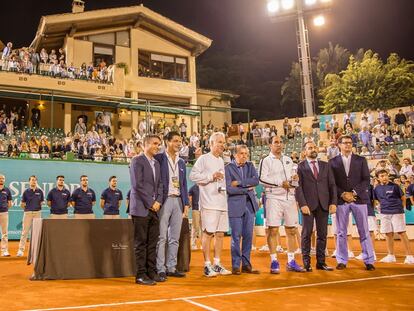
x: 313, y: 192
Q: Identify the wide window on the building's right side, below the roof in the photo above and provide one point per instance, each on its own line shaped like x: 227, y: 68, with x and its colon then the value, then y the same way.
x: 154, y: 65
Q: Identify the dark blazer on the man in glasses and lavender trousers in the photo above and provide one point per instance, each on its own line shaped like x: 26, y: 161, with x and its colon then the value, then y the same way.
x: 358, y: 179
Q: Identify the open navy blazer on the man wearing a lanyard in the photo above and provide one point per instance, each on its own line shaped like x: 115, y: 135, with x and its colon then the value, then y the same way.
x: 165, y: 178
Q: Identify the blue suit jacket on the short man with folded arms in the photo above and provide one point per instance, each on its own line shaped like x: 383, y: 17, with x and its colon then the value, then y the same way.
x: 238, y: 197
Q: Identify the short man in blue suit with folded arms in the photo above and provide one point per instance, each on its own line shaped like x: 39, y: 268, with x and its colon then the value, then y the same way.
x: 241, y: 179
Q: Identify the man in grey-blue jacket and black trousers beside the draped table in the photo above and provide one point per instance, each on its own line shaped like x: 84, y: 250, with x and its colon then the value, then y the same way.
x: 145, y: 202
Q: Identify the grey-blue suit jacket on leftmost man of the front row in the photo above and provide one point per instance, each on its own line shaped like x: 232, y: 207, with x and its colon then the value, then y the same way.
x: 145, y: 189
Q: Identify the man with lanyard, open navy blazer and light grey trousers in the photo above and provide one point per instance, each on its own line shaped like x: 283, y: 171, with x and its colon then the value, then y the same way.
x: 175, y: 206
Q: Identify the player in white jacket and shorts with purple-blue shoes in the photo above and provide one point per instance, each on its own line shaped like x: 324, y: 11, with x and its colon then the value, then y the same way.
x: 276, y: 173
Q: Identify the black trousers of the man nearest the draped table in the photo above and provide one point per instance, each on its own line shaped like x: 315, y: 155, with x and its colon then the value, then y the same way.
x: 146, y: 234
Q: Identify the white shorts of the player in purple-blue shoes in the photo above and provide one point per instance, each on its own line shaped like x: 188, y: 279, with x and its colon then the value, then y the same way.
x: 278, y: 210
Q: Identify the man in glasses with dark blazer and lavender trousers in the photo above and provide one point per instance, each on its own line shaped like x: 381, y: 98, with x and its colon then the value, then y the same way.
x: 352, y: 180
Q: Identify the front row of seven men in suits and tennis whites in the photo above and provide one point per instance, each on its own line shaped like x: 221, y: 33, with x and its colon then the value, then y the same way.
x: 227, y: 199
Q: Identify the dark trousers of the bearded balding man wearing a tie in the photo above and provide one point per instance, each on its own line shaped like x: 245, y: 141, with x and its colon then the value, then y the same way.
x: 321, y: 217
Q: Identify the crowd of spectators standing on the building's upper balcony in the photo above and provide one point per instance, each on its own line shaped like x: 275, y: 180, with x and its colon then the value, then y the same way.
x: 54, y: 64
